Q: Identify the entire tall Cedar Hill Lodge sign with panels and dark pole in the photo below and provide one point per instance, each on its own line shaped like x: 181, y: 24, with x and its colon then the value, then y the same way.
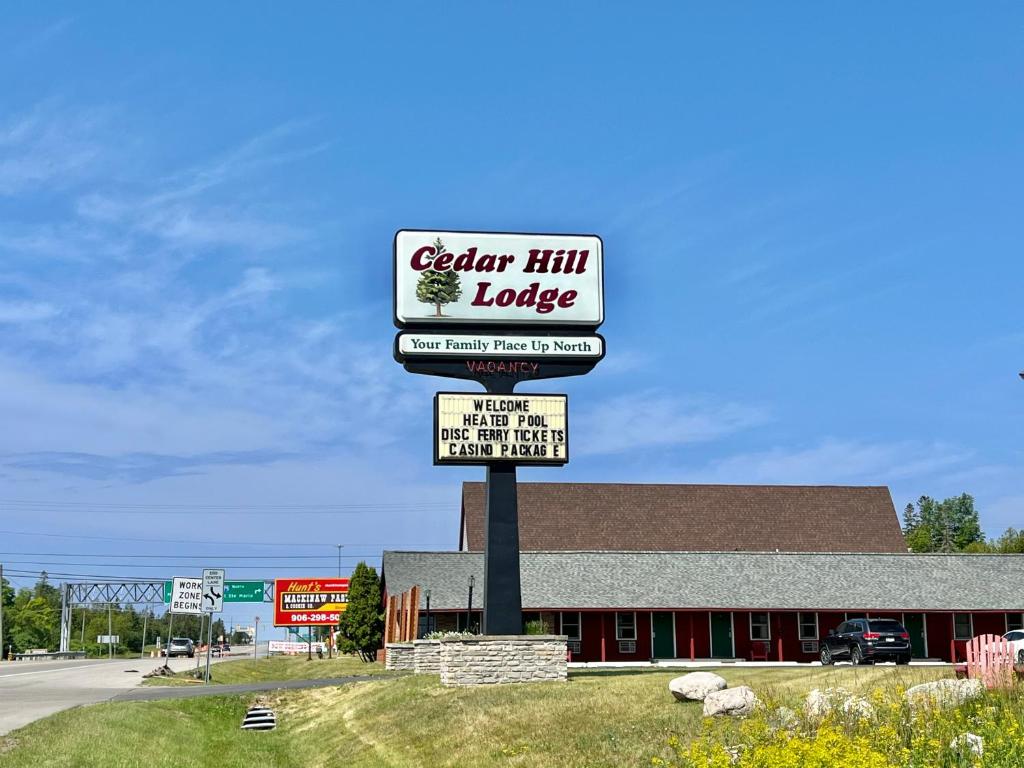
x: 499, y: 309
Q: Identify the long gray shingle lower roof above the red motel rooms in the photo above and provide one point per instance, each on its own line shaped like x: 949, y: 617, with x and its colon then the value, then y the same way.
x: 726, y: 580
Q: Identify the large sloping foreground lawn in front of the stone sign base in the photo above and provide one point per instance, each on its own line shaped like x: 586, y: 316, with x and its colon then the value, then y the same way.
x: 596, y: 719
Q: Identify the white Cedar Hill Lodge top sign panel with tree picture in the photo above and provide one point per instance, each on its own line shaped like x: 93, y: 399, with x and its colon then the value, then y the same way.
x: 496, y: 279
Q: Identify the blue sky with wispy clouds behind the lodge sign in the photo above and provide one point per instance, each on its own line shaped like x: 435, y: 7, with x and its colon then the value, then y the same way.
x: 813, y: 234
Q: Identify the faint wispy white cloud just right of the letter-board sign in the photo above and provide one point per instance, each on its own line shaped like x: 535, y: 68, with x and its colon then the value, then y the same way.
x: 650, y: 419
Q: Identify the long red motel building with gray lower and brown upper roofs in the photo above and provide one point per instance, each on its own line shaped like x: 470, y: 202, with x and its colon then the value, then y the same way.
x: 632, y: 573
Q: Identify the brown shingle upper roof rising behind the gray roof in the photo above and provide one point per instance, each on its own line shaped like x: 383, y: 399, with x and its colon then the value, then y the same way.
x: 694, y: 519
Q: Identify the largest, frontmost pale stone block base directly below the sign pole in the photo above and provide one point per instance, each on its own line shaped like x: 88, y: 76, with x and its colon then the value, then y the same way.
x: 502, y: 659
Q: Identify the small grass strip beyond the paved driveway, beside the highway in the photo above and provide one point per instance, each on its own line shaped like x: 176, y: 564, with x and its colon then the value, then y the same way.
x: 277, y: 668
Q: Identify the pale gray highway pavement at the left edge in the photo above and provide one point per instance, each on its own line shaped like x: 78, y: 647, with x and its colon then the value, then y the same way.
x: 30, y: 691
